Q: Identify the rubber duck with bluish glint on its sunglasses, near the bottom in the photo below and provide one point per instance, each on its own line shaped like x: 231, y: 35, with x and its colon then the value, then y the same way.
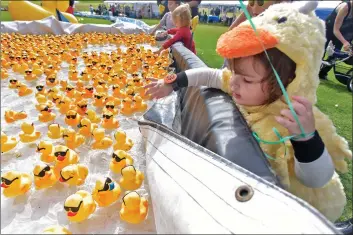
x: 106, y: 191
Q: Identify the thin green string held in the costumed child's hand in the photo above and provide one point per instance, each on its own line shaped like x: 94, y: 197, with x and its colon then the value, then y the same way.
x: 281, y: 140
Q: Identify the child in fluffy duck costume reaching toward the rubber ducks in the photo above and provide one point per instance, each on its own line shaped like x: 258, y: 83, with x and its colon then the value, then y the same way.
x: 294, y: 38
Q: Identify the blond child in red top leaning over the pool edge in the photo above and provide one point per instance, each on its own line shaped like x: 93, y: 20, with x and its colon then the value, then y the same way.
x: 182, y: 33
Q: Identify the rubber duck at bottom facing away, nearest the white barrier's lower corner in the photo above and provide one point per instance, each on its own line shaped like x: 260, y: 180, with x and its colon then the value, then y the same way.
x: 134, y: 208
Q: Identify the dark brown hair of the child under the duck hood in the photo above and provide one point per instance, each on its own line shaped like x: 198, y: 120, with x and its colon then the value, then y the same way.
x: 284, y: 66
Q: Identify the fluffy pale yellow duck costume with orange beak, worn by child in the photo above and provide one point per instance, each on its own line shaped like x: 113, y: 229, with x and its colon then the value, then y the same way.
x: 298, y: 33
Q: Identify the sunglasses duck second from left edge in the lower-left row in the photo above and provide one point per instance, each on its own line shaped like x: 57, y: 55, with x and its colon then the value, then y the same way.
x: 44, y: 176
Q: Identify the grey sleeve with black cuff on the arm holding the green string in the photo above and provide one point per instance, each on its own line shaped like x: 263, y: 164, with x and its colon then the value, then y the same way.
x: 313, y: 165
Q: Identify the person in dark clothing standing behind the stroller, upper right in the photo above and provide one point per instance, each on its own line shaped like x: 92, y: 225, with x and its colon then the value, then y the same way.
x: 339, y: 30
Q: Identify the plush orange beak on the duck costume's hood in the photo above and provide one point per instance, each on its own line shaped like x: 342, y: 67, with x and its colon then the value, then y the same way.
x: 242, y: 41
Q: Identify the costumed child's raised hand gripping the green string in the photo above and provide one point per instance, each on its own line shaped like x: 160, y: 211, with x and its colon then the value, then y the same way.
x: 304, y: 110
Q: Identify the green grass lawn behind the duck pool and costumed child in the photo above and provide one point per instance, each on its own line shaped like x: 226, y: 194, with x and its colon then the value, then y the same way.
x: 333, y: 97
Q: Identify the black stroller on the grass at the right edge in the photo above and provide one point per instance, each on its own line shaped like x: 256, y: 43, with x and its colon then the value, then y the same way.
x: 342, y: 66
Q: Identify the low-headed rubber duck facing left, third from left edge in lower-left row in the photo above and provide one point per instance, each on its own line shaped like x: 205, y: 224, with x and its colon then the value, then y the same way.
x: 74, y: 174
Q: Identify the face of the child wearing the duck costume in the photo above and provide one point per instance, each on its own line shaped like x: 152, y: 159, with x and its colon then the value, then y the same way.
x: 248, y: 88
